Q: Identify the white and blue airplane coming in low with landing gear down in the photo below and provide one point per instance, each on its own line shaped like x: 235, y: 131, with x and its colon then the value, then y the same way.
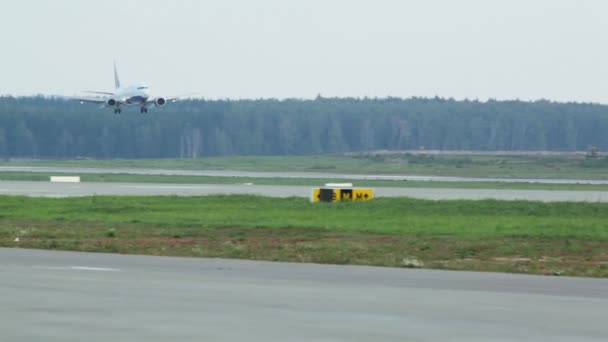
x: 137, y: 94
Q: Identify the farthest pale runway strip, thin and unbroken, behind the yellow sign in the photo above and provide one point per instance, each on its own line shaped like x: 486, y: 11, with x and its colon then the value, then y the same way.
x: 311, y: 175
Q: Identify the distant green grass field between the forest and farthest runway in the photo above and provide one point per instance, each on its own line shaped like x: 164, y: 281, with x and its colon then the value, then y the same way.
x: 532, y: 166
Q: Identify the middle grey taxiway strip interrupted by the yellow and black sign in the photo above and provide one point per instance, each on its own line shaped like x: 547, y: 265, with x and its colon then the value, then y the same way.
x: 84, y: 189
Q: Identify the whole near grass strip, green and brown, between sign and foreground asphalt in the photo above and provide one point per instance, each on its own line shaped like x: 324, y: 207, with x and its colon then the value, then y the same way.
x: 513, y: 236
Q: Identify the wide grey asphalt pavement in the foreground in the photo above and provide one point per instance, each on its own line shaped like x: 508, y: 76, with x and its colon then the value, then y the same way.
x: 64, y: 296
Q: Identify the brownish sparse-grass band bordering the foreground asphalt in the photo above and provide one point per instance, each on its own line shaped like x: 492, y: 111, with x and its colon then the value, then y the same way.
x: 535, y: 256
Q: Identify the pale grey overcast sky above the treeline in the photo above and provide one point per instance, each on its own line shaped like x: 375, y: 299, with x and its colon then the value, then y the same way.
x: 525, y: 49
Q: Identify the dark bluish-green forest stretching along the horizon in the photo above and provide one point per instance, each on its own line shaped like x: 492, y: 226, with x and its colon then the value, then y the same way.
x: 40, y: 127
